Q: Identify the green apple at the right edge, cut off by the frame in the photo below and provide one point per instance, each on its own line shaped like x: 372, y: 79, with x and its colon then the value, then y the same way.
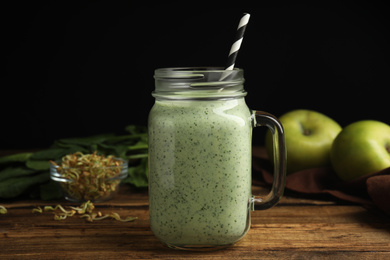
x: 361, y: 148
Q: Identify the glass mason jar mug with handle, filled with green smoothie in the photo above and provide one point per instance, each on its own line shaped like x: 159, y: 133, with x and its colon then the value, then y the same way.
x: 200, y: 151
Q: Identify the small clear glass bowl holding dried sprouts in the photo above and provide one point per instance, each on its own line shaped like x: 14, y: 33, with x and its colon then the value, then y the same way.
x: 95, y: 184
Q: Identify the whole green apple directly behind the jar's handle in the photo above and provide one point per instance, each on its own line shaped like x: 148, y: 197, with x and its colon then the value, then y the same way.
x: 309, y: 136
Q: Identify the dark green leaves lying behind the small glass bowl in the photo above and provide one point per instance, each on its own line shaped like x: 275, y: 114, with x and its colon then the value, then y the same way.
x: 28, y: 173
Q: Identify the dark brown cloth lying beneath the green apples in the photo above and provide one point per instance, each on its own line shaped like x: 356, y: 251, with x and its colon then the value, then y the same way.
x: 370, y: 191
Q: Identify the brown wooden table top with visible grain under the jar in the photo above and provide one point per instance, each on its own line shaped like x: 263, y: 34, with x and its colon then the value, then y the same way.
x: 294, y: 229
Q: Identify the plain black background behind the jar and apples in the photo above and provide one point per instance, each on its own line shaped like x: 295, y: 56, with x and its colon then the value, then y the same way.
x: 86, y: 67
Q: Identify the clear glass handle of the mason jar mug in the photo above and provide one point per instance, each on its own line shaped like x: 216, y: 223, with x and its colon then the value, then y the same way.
x: 260, y: 118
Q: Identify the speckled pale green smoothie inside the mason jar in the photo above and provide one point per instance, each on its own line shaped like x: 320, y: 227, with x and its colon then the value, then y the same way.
x: 200, y: 171
